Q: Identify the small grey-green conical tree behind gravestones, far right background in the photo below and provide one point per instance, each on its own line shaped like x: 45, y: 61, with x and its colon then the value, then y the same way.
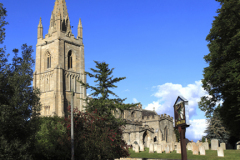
x: 216, y: 129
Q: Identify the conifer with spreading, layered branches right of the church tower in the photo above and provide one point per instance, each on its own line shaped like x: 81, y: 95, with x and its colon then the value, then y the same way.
x: 101, y: 101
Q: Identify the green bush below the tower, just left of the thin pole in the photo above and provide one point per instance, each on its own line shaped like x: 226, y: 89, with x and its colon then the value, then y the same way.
x: 51, y: 139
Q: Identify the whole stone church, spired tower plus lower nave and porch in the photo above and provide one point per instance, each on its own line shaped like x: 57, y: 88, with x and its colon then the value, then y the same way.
x: 60, y: 64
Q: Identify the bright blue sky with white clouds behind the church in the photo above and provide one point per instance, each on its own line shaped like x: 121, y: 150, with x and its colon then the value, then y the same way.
x: 157, y: 45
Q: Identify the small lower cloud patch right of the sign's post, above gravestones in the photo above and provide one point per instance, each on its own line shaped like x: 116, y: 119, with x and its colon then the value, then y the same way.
x: 196, y: 129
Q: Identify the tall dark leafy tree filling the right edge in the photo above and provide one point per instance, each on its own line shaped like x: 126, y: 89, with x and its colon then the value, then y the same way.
x: 222, y: 76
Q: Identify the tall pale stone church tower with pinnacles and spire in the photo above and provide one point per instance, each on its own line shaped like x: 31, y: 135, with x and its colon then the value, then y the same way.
x: 59, y: 64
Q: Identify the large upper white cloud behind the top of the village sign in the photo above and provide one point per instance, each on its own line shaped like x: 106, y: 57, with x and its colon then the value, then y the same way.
x: 167, y: 95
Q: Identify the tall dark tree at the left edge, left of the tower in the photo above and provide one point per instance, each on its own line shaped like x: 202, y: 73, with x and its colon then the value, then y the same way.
x: 19, y: 103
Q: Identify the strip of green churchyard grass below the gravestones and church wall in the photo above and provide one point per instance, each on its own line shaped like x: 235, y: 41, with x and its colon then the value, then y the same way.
x: 210, y: 155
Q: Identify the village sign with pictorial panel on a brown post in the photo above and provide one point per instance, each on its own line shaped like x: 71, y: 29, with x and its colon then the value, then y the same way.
x: 180, y: 122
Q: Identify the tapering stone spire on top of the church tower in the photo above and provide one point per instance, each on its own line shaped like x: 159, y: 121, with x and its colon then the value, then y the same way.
x: 59, y: 18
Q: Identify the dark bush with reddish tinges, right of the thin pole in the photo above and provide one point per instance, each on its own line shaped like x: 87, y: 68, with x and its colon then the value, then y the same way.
x: 92, y: 139
